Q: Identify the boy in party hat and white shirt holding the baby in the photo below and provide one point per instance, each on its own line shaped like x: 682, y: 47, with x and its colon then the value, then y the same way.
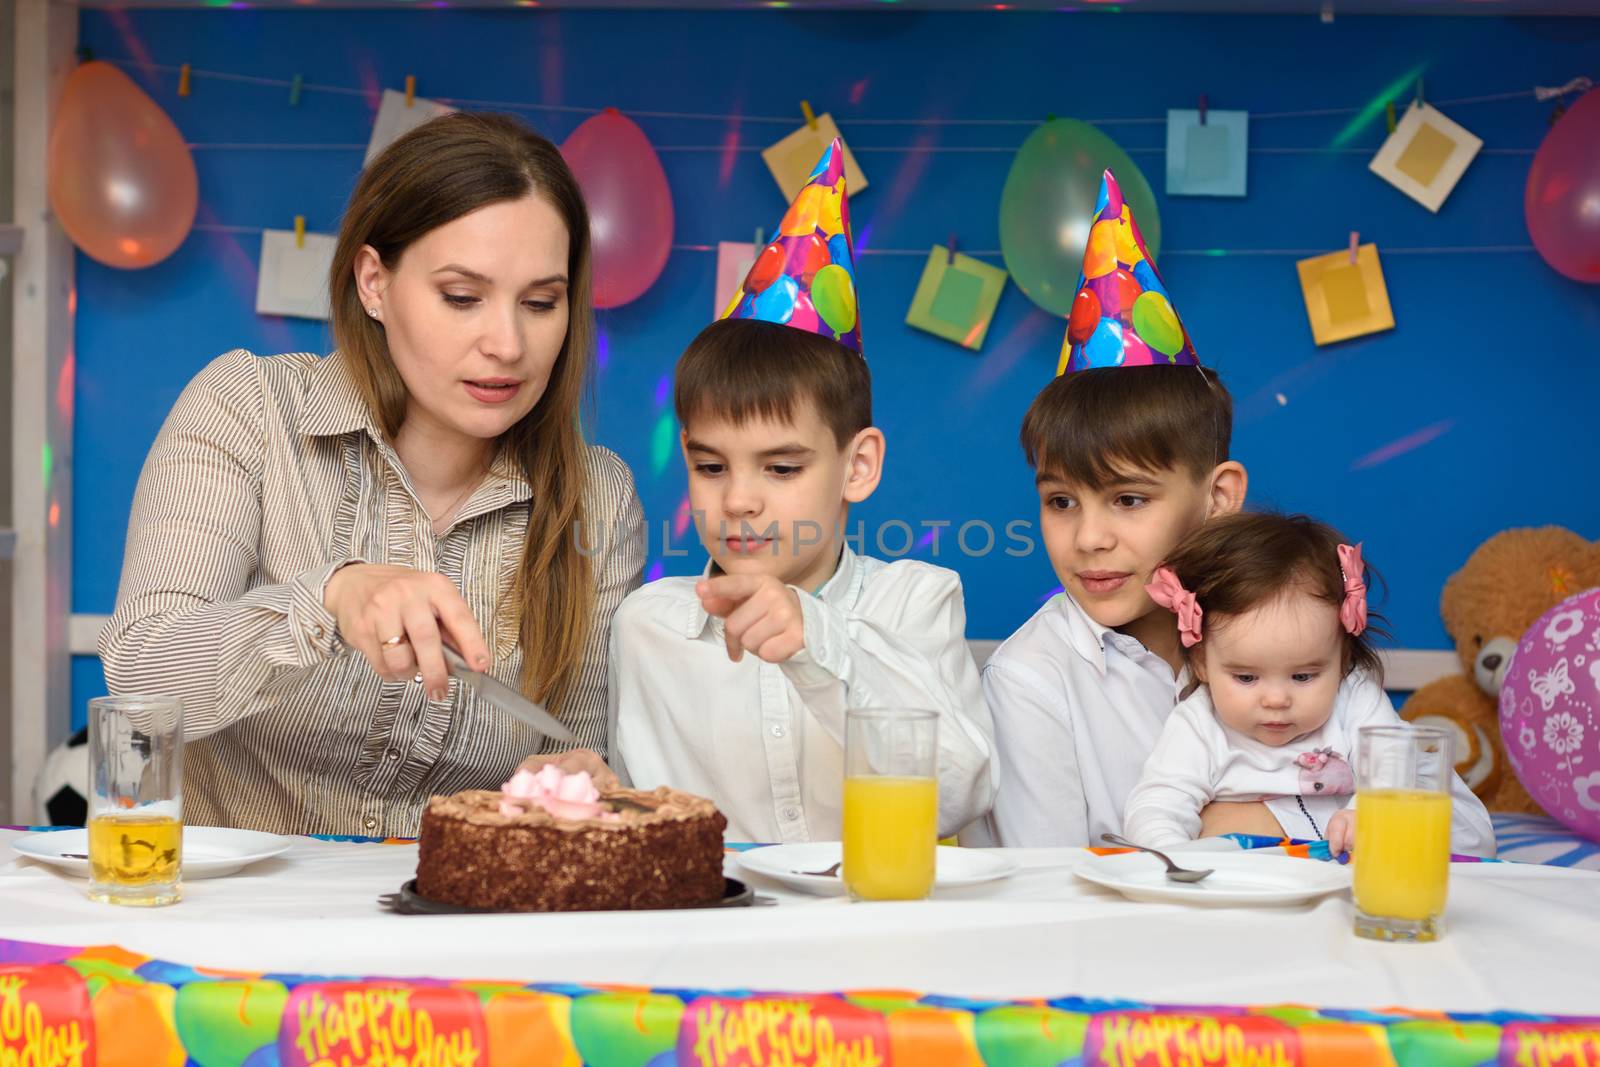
x: 1130, y: 454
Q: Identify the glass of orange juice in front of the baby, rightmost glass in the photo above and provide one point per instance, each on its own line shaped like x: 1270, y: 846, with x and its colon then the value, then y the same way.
x: 1402, y: 831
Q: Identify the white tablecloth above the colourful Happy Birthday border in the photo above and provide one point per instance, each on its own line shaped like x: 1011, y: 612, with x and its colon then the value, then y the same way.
x: 1519, y: 938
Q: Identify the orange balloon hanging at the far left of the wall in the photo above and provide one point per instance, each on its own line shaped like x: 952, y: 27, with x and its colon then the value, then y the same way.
x: 121, y: 177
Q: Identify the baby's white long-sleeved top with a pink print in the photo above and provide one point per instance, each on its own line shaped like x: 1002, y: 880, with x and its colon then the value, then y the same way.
x: 1199, y: 761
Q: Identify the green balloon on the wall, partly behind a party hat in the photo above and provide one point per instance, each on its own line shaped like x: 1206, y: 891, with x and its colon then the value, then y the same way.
x: 1049, y: 204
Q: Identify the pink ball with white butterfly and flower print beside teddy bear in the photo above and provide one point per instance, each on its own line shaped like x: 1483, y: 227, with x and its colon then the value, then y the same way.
x: 1551, y: 713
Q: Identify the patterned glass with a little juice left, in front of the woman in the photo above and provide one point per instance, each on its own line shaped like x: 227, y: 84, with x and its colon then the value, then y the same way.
x: 137, y: 799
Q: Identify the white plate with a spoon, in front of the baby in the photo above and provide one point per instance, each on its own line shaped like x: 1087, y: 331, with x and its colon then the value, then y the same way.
x: 1241, y: 879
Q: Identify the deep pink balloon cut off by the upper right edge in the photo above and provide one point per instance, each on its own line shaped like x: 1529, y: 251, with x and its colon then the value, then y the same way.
x: 1562, y: 202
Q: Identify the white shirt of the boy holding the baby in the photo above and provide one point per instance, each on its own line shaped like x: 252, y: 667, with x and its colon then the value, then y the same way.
x: 1078, y: 708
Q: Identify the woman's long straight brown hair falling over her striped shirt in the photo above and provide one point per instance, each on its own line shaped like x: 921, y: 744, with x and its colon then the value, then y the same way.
x: 434, y: 175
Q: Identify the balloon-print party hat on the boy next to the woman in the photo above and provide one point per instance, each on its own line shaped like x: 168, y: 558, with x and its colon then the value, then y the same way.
x: 807, y: 276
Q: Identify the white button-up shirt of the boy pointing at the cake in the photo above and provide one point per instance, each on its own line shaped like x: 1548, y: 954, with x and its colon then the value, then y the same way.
x: 767, y: 741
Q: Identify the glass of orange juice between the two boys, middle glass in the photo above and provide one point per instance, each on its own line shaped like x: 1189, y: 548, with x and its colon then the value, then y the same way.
x: 892, y: 804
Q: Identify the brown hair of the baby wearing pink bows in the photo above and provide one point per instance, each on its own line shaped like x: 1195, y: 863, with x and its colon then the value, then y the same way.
x: 1234, y: 564
